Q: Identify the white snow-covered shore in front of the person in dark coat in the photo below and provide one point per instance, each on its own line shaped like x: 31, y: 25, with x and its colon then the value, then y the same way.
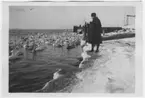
x: 112, y: 70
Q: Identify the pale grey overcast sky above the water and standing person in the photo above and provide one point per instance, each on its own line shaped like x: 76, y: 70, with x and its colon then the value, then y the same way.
x: 64, y: 17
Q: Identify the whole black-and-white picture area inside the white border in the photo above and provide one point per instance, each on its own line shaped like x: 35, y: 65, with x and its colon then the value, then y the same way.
x: 72, y: 48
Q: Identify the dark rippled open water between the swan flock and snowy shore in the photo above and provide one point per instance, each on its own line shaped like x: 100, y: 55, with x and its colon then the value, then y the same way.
x: 35, y: 69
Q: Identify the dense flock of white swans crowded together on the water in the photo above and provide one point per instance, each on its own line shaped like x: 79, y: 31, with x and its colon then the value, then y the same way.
x: 40, y: 41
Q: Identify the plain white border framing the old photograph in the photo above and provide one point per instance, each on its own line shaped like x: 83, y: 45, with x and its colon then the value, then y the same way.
x: 138, y: 51
